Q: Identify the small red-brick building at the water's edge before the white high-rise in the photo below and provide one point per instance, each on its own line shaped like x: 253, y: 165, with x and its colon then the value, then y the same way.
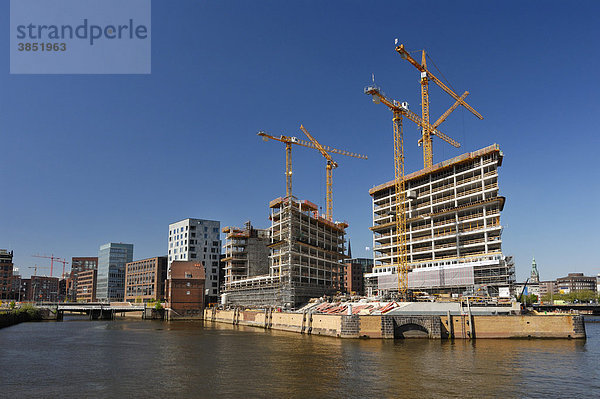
x: 184, y: 290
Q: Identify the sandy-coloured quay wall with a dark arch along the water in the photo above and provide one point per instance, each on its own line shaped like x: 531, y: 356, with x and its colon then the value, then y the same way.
x: 385, y: 327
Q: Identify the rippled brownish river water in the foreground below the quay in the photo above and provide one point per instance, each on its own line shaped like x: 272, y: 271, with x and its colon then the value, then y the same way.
x: 154, y: 359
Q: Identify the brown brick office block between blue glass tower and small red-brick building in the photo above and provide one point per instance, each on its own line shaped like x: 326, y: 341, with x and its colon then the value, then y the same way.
x: 145, y: 279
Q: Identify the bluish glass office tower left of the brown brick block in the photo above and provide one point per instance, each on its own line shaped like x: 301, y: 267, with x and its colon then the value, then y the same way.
x: 112, y: 259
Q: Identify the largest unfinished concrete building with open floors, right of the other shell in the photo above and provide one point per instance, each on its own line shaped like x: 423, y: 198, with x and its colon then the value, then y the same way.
x: 453, y: 232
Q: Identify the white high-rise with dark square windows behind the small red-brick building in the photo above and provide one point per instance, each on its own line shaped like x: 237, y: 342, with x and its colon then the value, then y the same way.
x: 198, y: 240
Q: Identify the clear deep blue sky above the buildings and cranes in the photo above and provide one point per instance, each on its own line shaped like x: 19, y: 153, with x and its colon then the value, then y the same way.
x: 92, y: 159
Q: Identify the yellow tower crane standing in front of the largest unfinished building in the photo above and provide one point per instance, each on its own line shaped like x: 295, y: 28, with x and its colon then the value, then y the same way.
x: 400, y: 109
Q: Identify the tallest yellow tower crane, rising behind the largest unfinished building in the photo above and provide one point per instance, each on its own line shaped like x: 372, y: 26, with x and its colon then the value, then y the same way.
x: 426, y: 76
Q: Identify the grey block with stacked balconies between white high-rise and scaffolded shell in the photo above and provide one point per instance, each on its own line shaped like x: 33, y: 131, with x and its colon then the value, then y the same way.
x: 246, y: 253
